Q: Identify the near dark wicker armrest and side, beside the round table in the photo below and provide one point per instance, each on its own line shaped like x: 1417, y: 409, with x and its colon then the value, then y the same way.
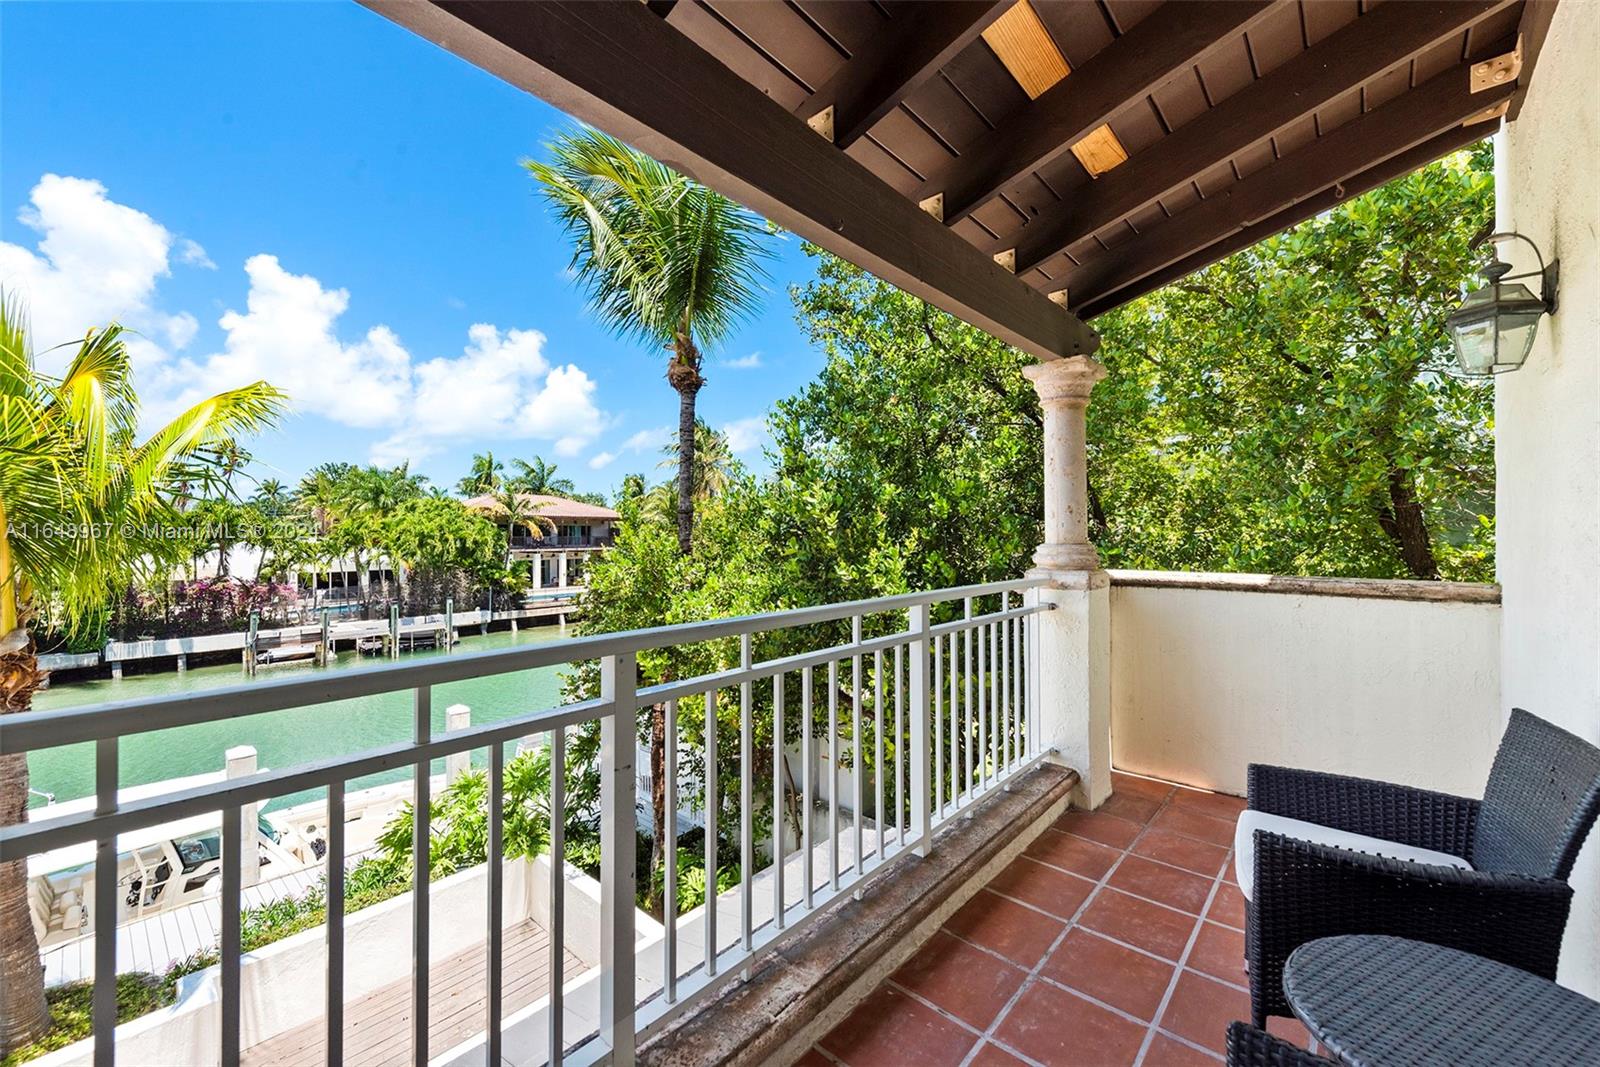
x: 1305, y: 890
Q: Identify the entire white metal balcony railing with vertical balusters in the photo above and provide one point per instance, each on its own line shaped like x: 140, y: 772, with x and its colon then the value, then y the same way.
x: 950, y: 709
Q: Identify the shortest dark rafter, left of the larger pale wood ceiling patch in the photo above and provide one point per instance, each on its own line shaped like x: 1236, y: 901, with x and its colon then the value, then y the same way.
x: 922, y: 38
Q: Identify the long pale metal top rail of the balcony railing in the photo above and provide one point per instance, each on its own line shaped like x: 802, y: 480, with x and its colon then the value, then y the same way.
x: 46, y: 730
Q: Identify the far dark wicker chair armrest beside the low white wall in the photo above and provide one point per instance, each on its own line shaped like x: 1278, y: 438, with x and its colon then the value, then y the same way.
x: 1358, y: 805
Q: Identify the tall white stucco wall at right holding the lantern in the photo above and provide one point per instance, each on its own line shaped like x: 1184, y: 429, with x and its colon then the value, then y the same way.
x: 1548, y: 426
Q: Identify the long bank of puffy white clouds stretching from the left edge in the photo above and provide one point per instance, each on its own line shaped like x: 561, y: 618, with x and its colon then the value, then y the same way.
x: 102, y: 262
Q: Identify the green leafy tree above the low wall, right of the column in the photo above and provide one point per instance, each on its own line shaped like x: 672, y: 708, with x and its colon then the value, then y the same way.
x: 1292, y: 409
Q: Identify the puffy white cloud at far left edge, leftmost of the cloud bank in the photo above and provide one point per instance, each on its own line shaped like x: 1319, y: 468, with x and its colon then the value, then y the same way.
x: 98, y: 262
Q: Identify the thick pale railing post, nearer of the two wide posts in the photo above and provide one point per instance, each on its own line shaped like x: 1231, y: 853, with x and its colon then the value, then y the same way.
x: 618, y: 845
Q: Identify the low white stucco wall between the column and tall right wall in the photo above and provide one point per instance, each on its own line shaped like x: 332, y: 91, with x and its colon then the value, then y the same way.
x: 1210, y: 681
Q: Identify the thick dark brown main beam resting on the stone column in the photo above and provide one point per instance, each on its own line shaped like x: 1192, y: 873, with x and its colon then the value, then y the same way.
x: 623, y: 70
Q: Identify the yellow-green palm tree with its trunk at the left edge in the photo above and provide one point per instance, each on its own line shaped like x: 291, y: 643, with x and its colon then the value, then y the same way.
x: 70, y: 458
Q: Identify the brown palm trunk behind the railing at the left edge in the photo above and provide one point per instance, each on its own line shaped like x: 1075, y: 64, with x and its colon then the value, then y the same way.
x: 25, y: 1017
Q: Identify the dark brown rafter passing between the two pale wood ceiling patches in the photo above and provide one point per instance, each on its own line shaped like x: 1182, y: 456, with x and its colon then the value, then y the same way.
x: 1164, y: 46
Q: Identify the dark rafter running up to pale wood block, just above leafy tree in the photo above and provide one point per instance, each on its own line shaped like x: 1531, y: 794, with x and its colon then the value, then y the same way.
x: 1406, y: 122
